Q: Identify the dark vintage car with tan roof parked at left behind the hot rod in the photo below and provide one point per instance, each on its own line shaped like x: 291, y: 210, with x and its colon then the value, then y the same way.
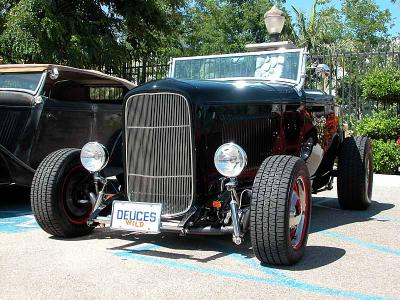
x: 44, y: 108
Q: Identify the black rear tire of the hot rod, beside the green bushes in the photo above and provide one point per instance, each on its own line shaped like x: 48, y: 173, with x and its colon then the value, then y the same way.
x: 355, y: 174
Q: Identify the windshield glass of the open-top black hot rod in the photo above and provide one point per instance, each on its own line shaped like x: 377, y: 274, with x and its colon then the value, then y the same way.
x: 274, y: 66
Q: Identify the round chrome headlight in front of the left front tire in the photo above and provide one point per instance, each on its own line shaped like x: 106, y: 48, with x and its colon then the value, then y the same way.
x: 94, y: 156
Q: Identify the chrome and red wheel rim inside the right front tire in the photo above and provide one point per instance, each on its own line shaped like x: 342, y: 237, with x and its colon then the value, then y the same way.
x: 299, y: 212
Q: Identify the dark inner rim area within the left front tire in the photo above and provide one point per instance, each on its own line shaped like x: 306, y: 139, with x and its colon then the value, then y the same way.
x: 75, y: 187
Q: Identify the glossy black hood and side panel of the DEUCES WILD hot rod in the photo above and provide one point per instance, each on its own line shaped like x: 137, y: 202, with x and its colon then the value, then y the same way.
x: 265, y: 119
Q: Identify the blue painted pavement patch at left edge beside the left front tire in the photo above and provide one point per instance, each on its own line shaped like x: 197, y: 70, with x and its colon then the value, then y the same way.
x: 17, y: 221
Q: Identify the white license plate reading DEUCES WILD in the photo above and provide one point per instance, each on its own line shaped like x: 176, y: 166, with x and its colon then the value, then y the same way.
x: 136, y: 216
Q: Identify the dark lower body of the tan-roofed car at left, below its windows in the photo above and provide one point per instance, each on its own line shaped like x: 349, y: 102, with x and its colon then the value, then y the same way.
x: 29, y: 131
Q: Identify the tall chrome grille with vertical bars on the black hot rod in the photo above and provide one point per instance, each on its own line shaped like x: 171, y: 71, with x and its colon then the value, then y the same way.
x: 159, y: 162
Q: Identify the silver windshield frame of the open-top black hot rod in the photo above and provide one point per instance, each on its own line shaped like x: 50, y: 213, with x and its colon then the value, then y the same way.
x: 296, y: 82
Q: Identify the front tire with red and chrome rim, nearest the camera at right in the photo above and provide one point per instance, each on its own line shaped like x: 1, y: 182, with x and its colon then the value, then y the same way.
x: 280, y: 210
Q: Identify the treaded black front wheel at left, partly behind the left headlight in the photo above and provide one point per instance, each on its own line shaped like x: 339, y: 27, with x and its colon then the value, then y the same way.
x: 58, y: 188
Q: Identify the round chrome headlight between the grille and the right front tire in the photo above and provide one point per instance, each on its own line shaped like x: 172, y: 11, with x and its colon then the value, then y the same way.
x: 230, y: 160
